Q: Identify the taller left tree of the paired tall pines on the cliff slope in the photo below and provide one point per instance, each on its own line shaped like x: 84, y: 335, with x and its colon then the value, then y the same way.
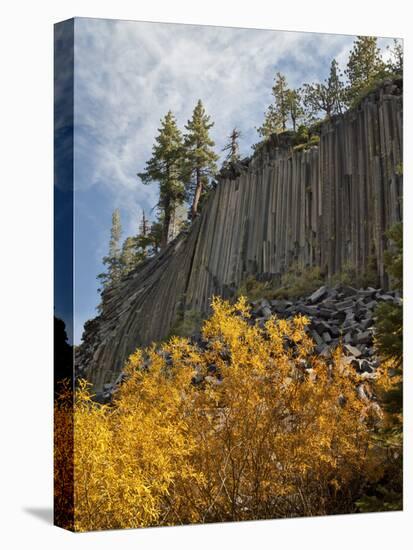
x: 165, y: 168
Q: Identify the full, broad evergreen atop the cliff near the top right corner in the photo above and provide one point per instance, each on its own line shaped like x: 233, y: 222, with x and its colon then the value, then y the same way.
x: 365, y: 66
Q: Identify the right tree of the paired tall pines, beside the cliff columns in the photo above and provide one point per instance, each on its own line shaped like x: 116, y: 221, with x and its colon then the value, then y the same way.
x: 200, y: 158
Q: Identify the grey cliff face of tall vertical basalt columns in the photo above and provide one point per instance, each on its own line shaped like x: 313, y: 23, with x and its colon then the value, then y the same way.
x: 328, y: 206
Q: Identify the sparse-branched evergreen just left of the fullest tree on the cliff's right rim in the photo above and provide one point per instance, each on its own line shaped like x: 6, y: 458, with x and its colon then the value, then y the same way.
x: 326, y: 97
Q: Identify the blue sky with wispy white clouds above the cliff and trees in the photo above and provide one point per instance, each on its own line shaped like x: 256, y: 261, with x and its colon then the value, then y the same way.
x: 128, y: 75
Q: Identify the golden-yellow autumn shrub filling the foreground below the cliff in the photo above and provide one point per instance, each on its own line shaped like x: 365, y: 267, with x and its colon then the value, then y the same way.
x: 250, y: 425
